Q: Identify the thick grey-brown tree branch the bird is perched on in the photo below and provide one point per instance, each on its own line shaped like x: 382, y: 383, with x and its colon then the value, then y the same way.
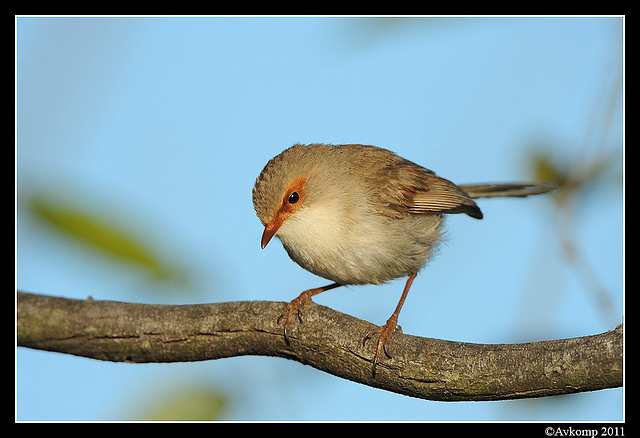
x: 324, y: 339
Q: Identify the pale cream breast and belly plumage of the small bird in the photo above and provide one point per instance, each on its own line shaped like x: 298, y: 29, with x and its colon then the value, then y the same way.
x: 358, y: 246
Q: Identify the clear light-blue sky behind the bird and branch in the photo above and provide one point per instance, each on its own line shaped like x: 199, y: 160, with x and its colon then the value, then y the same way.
x: 163, y: 124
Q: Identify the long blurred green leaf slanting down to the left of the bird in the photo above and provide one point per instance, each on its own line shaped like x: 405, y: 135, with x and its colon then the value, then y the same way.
x: 99, y: 234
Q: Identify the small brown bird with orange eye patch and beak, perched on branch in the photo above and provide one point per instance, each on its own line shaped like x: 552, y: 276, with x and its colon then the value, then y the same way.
x: 357, y: 214
